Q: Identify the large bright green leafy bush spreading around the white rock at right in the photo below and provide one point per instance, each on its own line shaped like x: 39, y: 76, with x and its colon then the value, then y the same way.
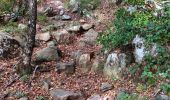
x: 154, y: 29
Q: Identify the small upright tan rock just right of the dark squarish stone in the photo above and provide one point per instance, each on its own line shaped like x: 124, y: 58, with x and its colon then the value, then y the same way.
x: 84, y: 63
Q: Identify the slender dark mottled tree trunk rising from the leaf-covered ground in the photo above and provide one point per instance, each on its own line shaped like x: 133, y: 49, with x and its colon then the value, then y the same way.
x: 30, y: 38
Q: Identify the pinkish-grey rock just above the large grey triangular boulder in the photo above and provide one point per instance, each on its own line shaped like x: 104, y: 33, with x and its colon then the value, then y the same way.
x: 63, y: 37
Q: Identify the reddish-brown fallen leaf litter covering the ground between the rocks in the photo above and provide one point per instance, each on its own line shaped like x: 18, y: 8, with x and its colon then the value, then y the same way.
x: 86, y: 83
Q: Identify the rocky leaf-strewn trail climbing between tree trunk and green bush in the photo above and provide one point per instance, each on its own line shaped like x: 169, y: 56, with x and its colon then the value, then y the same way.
x: 69, y: 60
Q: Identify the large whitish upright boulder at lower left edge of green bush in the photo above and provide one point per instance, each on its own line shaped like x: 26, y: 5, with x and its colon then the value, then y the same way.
x: 115, y: 65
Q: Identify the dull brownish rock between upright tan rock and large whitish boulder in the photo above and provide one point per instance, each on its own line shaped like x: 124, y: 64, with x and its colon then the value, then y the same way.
x: 98, y: 65
